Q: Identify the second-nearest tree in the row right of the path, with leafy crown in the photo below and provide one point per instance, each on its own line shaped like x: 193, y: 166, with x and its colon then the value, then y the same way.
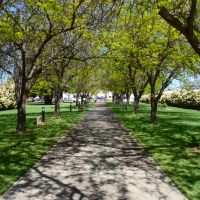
x: 124, y: 42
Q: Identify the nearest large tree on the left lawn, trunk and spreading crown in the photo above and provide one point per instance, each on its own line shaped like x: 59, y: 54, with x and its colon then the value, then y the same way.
x: 27, y: 28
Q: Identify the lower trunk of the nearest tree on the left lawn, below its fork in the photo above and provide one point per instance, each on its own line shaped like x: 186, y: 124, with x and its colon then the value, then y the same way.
x: 21, y: 114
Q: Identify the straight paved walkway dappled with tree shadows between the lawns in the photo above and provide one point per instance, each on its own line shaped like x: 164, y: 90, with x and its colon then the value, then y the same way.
x: 98, y: 161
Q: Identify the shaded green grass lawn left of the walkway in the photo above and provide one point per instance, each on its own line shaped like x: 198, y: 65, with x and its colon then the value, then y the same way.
x: 19, y: 152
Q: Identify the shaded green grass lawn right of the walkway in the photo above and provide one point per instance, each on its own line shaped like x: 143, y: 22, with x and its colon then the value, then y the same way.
x: 174, y: 142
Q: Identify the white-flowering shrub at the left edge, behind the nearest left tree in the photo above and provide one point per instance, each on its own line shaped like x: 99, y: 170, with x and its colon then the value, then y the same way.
x: 7, y: 96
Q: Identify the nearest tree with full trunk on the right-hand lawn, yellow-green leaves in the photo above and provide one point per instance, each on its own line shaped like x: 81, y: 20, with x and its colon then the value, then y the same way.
x: 168, y: 58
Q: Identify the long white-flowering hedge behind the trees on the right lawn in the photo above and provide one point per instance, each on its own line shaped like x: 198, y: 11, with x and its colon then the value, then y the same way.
x: 183, y: 99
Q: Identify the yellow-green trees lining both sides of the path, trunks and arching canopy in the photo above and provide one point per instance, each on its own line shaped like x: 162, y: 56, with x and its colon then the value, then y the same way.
x: 130, y: 46
